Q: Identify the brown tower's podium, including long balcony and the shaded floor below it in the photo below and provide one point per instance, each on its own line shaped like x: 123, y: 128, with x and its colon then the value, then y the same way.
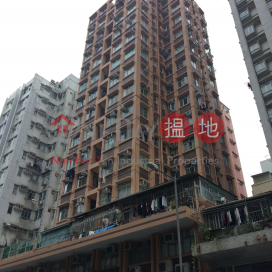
x: 122, y: 235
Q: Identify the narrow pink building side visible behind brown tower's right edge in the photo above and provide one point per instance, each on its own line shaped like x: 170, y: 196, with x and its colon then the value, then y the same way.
x: 229, y: 141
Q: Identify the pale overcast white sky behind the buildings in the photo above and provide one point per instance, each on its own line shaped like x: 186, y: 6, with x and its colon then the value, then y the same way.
x: 47, y: 38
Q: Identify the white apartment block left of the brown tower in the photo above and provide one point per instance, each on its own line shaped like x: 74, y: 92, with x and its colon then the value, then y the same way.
x: 29, y: 183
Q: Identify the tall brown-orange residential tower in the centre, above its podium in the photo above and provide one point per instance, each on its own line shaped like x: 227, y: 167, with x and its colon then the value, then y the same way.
x: 142, y: 60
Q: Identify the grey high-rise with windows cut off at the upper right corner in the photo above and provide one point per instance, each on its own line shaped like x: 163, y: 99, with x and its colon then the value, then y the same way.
x: 253, y: 22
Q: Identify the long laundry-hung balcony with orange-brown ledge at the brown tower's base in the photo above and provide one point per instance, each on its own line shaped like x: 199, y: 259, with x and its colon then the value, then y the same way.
x: 63, y: 238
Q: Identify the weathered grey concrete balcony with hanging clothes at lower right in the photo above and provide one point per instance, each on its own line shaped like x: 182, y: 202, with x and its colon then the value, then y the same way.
x: 248, y: 239
